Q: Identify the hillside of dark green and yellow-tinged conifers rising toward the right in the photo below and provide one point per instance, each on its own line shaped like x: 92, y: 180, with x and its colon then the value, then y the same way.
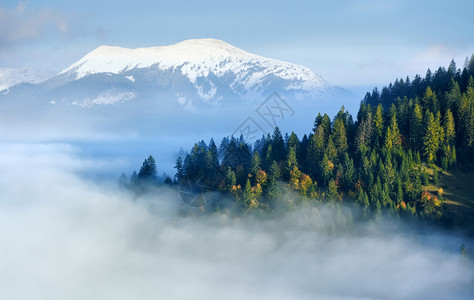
x: 388, y: 160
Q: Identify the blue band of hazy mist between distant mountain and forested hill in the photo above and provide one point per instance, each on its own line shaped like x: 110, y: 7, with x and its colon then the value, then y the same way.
x: 158, y: 125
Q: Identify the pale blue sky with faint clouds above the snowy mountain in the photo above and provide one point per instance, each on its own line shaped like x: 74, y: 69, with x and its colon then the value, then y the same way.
x: 349, y: 43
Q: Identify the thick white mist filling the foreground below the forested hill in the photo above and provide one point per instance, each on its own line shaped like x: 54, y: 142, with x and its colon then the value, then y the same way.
x: 64, y: 235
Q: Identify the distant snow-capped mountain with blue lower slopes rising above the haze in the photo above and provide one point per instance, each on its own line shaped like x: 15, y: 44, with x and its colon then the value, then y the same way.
x: 190, y: 73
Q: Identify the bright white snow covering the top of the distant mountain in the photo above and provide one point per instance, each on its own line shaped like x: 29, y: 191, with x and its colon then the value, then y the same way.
x: 197, y: 59
